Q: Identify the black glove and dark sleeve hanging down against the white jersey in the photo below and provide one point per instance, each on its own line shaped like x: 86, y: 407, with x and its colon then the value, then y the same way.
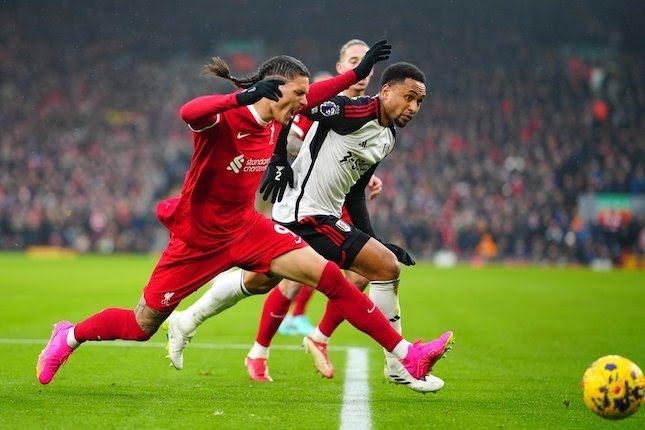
x: 279, y: 173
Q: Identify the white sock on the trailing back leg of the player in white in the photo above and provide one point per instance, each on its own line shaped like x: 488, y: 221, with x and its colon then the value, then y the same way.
x: 226, y: 290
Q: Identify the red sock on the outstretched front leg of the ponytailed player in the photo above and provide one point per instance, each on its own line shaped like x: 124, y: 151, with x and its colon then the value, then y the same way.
x: 356, y: 307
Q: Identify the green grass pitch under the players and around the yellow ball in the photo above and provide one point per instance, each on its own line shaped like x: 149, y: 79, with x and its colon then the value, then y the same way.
x: 524, y: 337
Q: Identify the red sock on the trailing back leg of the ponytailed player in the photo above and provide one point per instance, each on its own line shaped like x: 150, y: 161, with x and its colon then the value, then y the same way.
x: 110, y: 324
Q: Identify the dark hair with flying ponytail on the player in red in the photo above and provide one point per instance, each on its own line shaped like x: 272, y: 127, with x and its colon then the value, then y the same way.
x: 282, y: 65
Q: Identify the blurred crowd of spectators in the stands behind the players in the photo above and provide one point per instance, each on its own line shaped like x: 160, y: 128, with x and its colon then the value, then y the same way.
x: 512, y: 133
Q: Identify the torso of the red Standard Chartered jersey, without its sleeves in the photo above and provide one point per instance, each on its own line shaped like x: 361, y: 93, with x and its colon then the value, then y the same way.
x: 228, y: 162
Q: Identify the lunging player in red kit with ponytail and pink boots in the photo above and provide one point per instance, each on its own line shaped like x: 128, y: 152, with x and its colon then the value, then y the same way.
x: 214, y: 226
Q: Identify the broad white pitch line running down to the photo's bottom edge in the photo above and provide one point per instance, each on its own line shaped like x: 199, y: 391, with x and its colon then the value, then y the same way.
x: 355, y: 414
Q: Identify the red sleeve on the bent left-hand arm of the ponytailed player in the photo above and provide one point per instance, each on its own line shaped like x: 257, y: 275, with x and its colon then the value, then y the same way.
x: 203, y: 112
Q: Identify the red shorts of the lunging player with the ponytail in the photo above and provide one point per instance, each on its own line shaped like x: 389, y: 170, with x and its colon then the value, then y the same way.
x: 183, y: 269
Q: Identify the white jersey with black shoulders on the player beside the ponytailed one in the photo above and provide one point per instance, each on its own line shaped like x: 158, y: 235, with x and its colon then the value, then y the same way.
x: 345, y: 142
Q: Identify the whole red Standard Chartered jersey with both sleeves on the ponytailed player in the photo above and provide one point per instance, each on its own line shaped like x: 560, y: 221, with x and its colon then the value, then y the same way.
x: 232, y: 149
